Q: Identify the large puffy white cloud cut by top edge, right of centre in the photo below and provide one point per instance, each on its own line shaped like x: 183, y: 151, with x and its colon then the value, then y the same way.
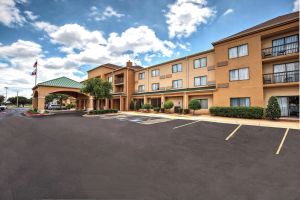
x: 184, y: 16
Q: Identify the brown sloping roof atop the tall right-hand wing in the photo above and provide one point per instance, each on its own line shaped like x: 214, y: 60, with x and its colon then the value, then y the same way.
x: 265, y: 25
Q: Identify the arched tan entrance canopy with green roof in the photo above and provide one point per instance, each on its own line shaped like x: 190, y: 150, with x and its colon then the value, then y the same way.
x: 62, y: 85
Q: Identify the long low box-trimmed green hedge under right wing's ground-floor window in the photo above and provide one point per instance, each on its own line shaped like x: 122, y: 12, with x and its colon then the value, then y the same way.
x: 238, y: 112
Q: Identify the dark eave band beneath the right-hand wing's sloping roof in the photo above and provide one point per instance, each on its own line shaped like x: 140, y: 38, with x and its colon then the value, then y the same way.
x: 254, y: 31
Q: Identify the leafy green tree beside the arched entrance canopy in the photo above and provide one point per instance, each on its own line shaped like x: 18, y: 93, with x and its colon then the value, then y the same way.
x: 98, y: 88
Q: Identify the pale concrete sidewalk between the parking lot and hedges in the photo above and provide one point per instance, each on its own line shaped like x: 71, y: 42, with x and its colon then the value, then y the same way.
x: 226, y: 120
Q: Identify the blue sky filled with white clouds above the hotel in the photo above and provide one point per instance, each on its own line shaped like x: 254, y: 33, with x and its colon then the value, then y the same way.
x: 69, y: 37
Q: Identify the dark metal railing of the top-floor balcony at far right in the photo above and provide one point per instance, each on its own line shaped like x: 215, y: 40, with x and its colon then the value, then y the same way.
x: 280, y: 50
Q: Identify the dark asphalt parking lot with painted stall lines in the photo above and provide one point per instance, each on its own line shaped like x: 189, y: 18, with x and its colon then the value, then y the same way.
x: 133, y: 157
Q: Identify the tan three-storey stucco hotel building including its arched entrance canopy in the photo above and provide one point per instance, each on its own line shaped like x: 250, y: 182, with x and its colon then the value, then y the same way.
x: 244, y: 69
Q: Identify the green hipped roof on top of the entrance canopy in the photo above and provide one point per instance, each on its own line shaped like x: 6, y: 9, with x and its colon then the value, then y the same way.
x: 61, y: 82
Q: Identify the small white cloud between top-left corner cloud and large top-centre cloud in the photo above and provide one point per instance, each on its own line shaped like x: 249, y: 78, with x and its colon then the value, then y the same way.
x: 108, y: 12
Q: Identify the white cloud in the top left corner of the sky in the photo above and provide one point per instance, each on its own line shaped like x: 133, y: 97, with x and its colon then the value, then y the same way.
x: 9, y: 13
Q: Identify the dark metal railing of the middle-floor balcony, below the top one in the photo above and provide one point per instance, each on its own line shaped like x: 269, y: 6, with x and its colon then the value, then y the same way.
x: 281, y: 77
